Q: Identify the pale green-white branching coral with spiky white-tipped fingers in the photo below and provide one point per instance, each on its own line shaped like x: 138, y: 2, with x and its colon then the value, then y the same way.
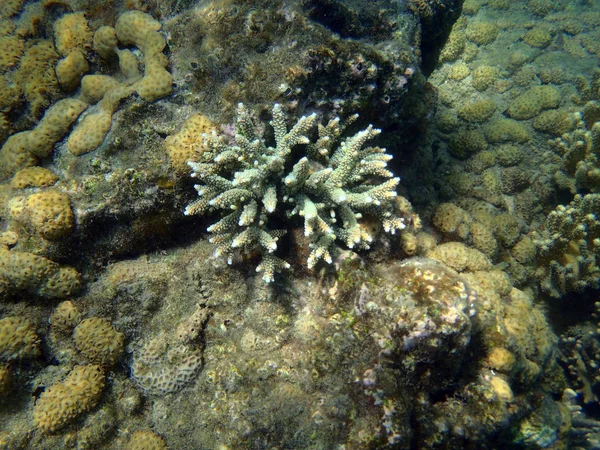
x: 335, y: 185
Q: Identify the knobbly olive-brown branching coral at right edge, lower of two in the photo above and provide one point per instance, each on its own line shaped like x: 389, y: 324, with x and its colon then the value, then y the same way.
x: 569, y: 247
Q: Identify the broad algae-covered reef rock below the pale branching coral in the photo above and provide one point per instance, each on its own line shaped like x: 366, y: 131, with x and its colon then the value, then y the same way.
x: 352, y: 361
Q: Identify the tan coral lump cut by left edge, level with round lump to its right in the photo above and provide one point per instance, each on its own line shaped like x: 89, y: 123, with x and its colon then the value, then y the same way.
x: 18, y: 339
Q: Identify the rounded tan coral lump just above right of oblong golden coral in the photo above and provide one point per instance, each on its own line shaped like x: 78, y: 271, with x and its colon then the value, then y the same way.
x: 97, y: 340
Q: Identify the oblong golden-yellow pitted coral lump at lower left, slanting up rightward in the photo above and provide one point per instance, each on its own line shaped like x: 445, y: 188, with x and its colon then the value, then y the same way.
x: 63, y: 402
